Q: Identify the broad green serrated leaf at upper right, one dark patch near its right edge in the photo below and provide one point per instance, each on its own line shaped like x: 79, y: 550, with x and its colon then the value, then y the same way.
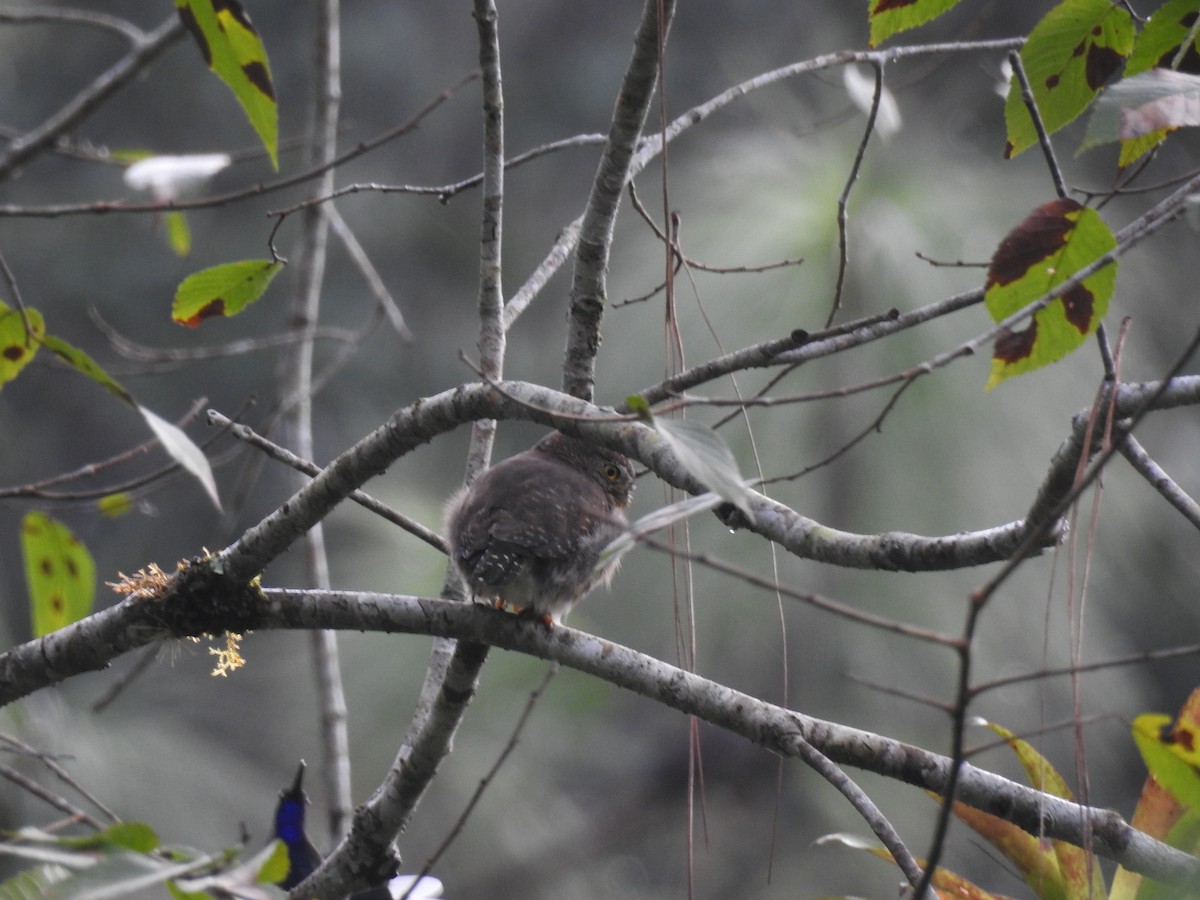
x: 1069, y: 57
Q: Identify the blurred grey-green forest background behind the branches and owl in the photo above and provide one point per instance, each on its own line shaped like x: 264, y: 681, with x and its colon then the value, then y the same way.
x: 593, y: 802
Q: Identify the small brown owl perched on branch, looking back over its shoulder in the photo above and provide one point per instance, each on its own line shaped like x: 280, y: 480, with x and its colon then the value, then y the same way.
x: 531, y: 530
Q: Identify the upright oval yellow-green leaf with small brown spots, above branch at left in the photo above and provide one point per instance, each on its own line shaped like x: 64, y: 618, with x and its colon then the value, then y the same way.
x: 59, y: 572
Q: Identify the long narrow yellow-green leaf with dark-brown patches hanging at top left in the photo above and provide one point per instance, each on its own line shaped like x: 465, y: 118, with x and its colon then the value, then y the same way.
x: 236, y: 53
